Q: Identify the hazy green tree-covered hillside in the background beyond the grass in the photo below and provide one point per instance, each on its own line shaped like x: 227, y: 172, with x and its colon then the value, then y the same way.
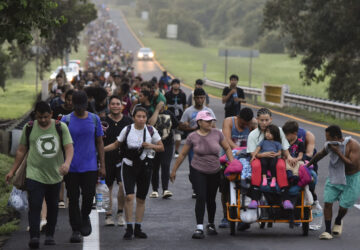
x: 236, y: 22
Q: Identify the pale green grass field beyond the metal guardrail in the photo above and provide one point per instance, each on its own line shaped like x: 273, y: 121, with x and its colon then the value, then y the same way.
x: 182, y: 59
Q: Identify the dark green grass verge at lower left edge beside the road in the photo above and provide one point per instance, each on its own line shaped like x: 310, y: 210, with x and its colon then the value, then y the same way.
x: 7, y: 215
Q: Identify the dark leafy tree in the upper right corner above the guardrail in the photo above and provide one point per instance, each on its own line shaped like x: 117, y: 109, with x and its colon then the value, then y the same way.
x: 326, y: 34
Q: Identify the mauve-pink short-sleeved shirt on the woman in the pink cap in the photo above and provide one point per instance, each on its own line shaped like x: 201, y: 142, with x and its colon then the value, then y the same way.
x: 206, y: 150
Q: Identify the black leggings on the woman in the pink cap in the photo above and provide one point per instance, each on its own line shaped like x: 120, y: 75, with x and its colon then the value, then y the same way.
x: 205, y: 186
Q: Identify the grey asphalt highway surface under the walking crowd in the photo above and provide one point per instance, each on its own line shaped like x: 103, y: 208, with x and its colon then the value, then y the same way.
x: 170, y: 223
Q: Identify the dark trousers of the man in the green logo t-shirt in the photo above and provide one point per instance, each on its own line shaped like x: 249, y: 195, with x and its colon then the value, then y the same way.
x: 37, y: 191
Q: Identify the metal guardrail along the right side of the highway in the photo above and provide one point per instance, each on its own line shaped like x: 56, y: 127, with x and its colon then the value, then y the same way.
x: 338, y: 109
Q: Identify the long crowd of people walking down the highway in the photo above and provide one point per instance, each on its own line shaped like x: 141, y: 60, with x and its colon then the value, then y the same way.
x: 115, y: 125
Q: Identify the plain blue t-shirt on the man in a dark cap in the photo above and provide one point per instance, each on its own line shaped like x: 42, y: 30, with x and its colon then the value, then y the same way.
x: 83, y: 134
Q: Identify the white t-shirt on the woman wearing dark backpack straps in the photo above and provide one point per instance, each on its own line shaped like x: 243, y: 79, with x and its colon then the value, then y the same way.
x: 136, y: 138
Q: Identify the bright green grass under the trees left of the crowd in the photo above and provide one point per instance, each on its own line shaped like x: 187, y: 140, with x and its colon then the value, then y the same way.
x: 20, y: 95
